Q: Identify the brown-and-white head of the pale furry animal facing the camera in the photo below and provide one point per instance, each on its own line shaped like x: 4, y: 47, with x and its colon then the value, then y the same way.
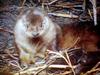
x: 36, y: 23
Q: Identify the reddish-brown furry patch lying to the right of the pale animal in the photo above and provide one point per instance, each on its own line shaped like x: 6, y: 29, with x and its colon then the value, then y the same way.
x: 87, y: 39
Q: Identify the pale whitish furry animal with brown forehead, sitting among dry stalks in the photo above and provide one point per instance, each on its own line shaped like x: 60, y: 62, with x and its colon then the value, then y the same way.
x: 34, y: 32
